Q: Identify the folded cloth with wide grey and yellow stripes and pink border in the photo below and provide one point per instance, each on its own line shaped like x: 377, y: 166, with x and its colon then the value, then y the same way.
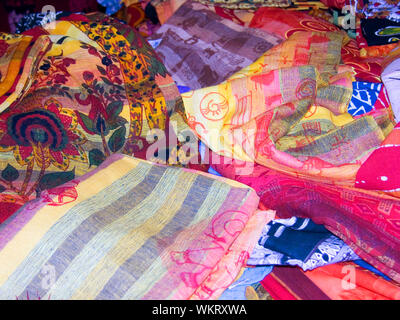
x: 130, y: 230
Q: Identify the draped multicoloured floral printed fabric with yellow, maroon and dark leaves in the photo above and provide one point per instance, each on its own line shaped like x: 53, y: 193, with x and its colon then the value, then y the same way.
x: 94, y: 88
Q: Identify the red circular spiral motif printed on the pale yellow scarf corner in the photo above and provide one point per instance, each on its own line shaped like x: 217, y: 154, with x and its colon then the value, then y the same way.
x: 214, y: 106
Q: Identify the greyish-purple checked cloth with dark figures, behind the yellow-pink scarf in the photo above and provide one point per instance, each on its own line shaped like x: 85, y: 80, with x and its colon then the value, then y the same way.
x: 200, y: 49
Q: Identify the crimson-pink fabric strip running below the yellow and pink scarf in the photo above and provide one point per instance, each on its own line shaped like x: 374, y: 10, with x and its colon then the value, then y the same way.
x: 367, y: 221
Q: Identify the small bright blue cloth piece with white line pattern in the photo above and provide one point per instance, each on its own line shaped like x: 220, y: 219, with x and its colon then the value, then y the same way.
x: 364, y: 97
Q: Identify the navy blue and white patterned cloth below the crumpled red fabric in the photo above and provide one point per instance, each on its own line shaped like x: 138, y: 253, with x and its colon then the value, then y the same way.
x: 299, y: 242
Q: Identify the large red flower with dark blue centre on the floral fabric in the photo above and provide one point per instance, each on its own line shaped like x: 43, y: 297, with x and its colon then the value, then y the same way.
x: 42, y: 137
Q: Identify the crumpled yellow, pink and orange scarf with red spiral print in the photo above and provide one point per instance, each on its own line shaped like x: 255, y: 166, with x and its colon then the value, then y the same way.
x: 288, y: 111
